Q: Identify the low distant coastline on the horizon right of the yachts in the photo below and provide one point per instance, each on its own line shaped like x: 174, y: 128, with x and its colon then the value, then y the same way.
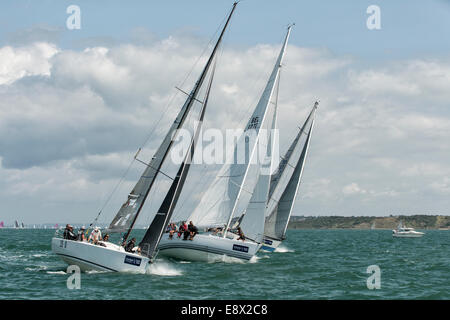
x: 438, y: 222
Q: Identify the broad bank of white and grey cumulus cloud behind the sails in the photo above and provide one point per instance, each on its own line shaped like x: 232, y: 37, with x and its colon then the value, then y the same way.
x: 71, y: 120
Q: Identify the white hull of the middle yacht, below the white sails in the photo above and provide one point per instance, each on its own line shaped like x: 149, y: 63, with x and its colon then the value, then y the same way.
x: 206, y: 248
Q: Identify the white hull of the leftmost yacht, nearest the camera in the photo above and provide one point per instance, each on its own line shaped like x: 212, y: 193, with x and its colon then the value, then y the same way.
x: 94, y: 257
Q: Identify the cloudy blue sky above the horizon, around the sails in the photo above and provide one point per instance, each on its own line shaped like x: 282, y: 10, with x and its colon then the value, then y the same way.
x: 76, y: 104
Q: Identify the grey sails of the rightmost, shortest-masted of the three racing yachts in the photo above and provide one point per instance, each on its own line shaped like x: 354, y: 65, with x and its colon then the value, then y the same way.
x: 290, y: 171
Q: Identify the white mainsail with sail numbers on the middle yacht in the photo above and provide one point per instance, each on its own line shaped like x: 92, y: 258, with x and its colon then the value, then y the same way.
x: 219, y: 203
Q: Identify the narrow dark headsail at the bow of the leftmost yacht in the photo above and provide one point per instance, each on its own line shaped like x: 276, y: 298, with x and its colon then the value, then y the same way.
x: 155, y: 231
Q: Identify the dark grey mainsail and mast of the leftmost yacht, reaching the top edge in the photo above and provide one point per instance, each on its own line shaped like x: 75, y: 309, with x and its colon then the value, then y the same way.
x: 128, y: 213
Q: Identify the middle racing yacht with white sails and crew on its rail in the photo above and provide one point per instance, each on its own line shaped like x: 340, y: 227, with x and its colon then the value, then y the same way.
x: 219, y: 204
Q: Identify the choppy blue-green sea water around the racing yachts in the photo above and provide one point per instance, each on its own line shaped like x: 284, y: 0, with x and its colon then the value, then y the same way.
x: 311, y: 264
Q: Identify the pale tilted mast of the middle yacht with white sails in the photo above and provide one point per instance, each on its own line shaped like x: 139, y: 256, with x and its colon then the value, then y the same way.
x: 269, y: 87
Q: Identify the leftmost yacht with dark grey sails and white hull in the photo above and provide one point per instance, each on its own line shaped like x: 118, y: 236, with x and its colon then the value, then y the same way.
x: 113, y: 257
